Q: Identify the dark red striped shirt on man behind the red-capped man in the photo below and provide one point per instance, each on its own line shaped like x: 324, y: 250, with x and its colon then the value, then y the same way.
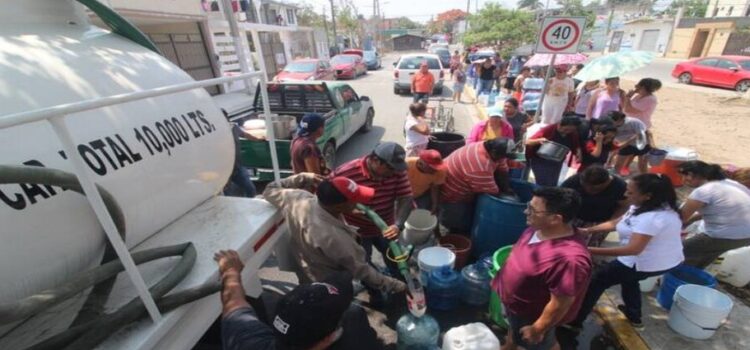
x: 386, y: 193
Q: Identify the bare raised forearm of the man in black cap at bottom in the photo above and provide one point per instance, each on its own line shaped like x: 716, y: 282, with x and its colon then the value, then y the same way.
x: 232, y: 293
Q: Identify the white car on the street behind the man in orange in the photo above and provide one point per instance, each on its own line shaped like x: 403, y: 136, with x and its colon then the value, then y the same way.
x: 408, y: 65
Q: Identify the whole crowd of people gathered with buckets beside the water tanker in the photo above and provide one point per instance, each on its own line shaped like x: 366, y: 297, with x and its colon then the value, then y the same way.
x: 549, y: 280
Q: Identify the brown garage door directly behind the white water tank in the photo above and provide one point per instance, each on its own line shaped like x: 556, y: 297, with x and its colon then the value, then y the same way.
x: 183, y: 45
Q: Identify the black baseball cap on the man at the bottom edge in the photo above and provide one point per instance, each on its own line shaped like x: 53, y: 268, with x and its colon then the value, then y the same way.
x: 310, y: 312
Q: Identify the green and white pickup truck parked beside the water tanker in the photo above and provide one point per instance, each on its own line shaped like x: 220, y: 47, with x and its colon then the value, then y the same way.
x: 346, y: 113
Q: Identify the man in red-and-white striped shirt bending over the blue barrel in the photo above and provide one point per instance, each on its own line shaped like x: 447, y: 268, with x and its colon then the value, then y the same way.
x: 475, y: 168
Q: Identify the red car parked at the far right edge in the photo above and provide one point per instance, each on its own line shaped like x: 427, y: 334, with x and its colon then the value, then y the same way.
x: 723, y: 71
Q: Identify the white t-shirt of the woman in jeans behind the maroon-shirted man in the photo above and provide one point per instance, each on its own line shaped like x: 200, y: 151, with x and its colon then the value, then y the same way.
x: 664, y: 250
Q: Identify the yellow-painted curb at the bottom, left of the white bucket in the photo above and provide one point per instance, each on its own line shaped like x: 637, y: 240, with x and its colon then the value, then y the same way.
x: 618, y: 325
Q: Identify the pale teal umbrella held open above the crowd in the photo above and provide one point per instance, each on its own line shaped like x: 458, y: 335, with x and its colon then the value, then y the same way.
x: 614, y: 65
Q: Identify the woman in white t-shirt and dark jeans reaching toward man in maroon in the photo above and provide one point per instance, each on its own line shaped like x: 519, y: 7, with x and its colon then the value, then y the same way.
x: 650, y: 245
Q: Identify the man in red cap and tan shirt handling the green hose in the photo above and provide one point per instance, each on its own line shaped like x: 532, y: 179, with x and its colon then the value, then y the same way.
x: 321, y: 242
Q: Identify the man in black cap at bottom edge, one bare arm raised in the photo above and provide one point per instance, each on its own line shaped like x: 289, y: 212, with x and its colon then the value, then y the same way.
x: 311, y: 317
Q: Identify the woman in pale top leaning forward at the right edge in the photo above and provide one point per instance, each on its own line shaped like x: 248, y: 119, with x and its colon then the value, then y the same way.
x: 724, y: 206
